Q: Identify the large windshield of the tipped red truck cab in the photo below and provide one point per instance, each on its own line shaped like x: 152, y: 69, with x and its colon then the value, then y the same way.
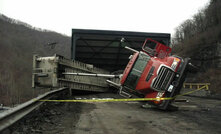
x: 136, y: 71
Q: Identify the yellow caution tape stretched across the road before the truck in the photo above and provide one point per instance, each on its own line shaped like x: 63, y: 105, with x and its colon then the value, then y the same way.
x: 123, y: 100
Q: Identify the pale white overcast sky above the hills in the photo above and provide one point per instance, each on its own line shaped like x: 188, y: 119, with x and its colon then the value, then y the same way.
x: 123, y: 15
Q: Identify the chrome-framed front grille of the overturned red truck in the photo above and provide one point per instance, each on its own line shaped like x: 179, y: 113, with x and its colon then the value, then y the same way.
x: 163, y: 79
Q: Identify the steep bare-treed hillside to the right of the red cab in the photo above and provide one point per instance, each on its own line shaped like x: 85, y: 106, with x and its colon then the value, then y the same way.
x: 200, y: 39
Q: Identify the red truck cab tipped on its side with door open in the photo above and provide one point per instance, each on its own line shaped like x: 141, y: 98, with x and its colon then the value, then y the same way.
x: 153, y: 73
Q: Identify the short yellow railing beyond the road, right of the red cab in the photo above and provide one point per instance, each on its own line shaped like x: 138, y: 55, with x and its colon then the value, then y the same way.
x: 196, y: 85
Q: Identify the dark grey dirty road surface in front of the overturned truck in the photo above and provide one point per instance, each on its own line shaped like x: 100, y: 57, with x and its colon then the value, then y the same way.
x: 199, y: 116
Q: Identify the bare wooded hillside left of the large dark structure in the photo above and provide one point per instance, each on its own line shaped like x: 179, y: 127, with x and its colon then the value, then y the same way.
x: 18, y: 42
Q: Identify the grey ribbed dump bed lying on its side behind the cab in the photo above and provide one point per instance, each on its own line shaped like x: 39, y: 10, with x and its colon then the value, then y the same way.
x: 50, y: 72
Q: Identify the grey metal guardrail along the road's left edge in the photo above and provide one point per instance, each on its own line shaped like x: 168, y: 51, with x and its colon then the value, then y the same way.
x: 11, y: 116
